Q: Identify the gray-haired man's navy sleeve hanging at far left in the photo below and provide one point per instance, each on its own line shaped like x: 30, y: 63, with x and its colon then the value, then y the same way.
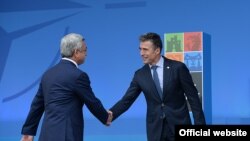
x: 35, y: 114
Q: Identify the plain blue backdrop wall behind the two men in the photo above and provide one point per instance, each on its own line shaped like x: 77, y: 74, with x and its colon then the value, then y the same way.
x: 30, y: 33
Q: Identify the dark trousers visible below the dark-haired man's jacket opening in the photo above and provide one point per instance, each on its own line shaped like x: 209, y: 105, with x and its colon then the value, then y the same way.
x: 166, y: 134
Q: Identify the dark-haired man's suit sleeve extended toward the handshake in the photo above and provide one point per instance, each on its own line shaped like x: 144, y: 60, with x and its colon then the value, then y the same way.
x: 127, y: 100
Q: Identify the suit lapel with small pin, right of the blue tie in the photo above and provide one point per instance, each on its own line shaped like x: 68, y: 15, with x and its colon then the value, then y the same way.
x: 166, y: 75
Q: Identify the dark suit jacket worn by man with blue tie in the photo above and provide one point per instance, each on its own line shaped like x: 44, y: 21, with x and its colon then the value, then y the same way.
x: 176, y: 81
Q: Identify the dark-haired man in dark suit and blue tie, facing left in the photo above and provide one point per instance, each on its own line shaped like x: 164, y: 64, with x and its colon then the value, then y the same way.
x: 166, y: 84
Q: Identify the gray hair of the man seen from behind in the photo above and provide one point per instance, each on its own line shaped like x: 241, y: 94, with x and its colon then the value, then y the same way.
x: 70, y: 43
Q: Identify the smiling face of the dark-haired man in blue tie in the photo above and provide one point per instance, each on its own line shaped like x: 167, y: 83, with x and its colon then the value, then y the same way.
x: 149, y: 54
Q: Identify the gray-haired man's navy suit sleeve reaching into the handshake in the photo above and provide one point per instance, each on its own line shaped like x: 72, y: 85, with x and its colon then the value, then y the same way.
x: 84, y: 91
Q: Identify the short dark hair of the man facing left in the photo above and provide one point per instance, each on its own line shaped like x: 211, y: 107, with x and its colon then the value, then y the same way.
x: 153, y: 37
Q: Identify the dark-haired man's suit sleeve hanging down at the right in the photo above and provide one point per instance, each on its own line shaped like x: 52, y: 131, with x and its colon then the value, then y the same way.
x: 192, y: 95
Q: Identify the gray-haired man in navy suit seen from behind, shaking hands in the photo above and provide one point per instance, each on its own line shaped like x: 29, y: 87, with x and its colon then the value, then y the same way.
x: 63, y: 91
